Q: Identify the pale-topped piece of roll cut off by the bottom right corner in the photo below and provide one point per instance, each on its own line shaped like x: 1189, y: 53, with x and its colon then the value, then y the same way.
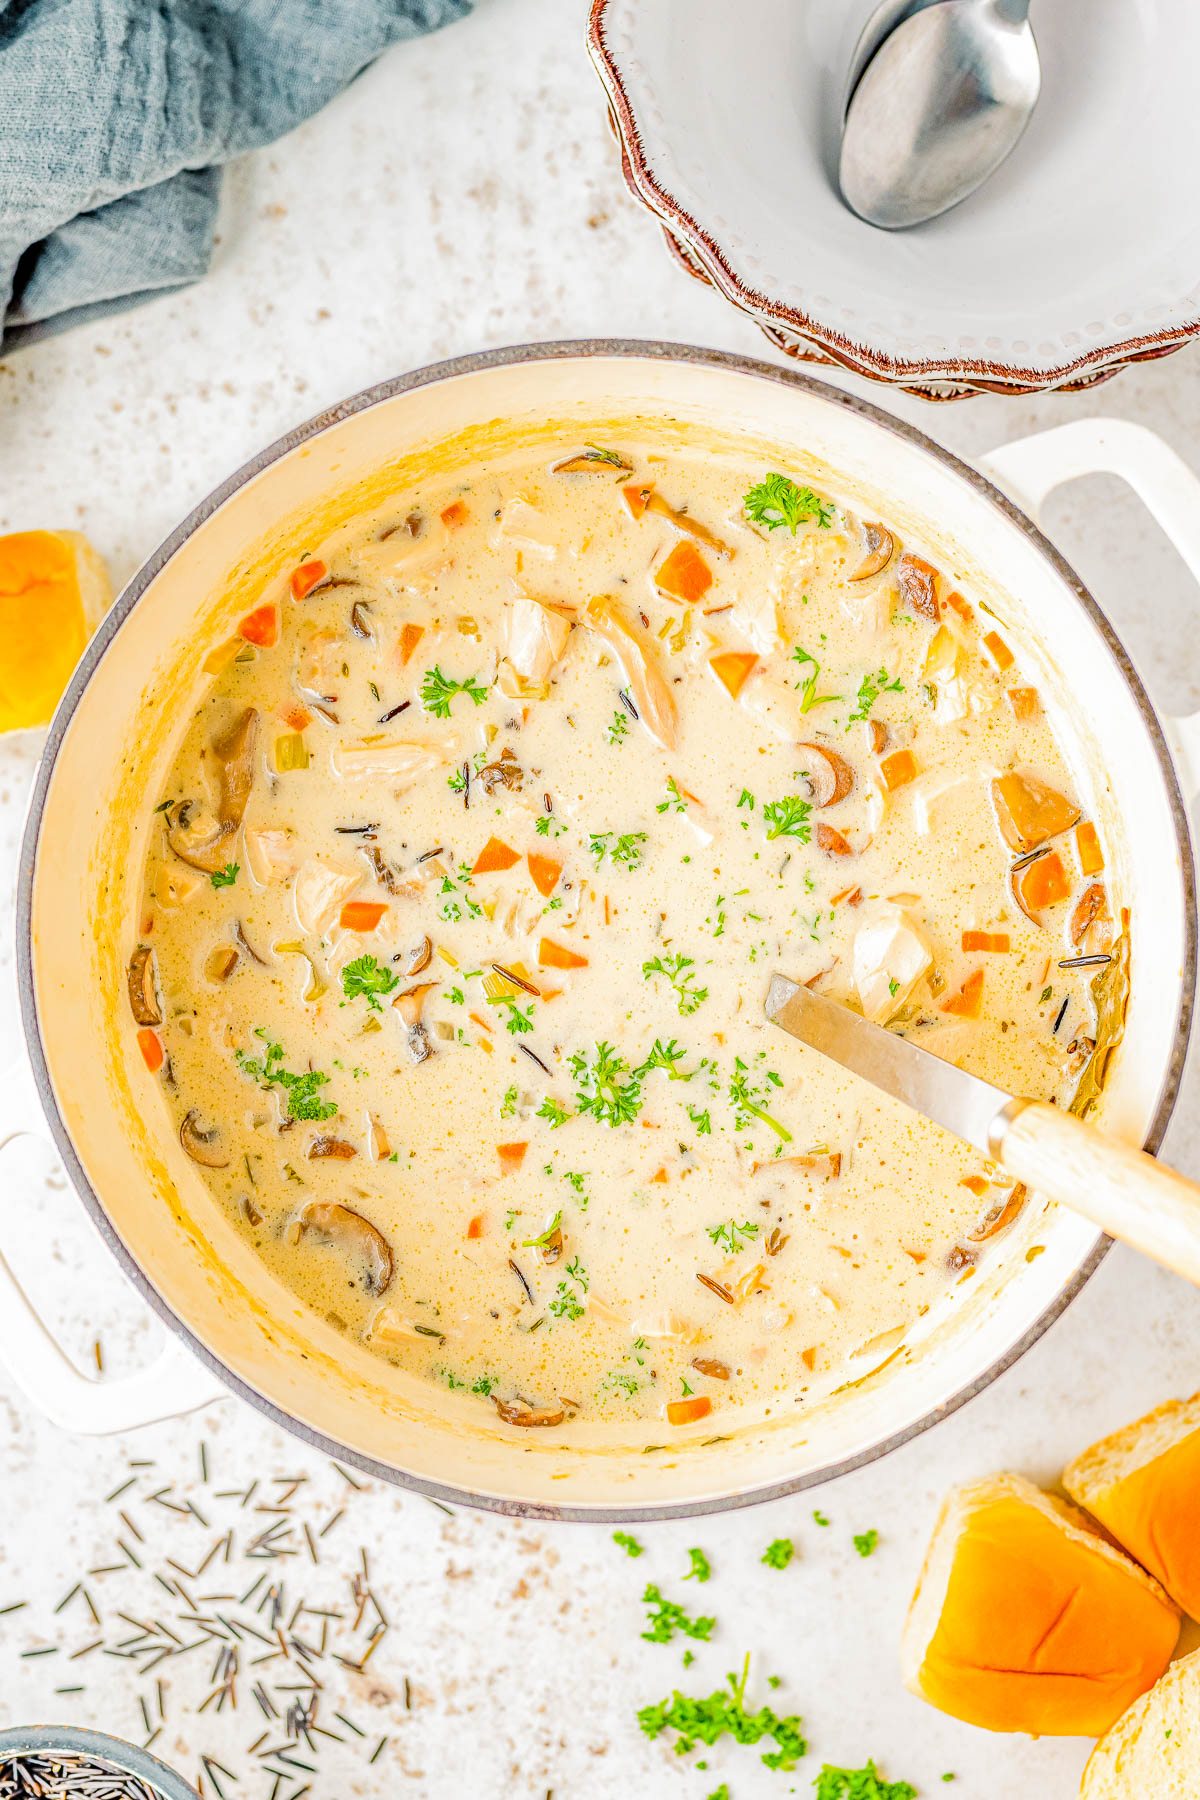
x: 1154, y: 1749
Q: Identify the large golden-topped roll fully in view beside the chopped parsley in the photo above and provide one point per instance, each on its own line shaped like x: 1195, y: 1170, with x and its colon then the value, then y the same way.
x: 1028, y: 1621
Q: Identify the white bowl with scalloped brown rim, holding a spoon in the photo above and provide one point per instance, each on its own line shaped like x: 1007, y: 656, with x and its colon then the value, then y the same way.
x: 1079, y: 256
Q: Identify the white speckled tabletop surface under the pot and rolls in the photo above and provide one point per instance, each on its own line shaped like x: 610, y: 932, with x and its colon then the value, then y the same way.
x: 467, y: 193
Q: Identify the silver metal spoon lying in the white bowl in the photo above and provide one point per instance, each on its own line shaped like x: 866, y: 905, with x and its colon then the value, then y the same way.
x: 940, y: 93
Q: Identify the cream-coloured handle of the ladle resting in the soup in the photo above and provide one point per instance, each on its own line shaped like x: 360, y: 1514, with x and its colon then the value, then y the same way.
x: 1120, y: 1189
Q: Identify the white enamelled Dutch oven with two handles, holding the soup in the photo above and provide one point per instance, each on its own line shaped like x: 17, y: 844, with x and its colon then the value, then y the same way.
x: 107, y: 757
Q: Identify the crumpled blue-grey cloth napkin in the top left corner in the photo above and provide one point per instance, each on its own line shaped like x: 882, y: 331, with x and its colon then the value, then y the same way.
x: 118, y: 114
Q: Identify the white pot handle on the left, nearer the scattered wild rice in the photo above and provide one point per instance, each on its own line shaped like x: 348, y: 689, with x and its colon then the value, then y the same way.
x: 172, y: 1385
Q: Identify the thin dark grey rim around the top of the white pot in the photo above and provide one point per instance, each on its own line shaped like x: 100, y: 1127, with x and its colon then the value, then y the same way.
x: 125, y: 604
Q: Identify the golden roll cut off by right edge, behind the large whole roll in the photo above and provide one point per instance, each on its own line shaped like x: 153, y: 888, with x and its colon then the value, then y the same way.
x: 1143, y: 1484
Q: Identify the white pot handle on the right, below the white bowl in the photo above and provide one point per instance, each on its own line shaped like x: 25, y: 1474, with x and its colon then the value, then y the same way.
x: 1030, y: 469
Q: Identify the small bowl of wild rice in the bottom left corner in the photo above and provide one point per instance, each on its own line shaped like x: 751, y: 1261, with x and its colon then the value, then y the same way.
x: 64, y: 1763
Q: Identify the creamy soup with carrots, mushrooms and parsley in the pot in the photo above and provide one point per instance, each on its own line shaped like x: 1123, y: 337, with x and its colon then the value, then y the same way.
x: 467, y: 890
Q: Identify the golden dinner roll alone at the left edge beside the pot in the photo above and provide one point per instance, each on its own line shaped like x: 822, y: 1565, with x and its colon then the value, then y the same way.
x: 53, y: 595
